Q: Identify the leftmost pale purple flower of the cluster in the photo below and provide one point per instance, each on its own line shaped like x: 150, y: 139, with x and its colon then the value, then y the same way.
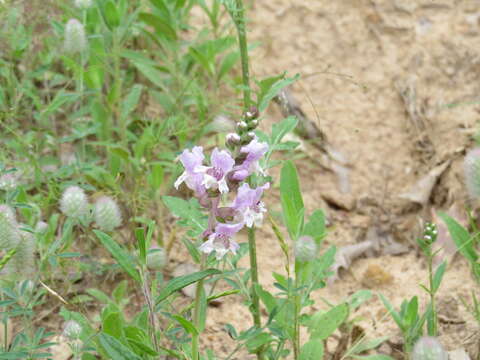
x: 191, y: 160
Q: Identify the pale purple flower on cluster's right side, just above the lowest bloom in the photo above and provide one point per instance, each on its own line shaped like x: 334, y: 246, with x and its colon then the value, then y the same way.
x: 248, y: 206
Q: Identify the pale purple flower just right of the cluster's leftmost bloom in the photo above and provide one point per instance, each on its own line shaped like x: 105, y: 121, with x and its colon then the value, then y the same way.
x: 215, y: 176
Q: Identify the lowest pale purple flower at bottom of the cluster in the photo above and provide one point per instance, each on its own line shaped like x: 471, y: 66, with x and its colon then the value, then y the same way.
x: 221, y: 240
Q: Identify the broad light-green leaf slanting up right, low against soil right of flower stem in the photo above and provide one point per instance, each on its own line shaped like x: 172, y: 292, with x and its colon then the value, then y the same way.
x: 323, y: 324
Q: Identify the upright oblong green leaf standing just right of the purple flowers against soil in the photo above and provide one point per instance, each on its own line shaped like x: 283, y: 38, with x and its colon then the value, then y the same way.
x: 292, y: 202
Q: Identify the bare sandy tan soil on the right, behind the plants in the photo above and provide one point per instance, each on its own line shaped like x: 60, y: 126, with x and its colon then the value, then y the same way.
x: 394, y: 86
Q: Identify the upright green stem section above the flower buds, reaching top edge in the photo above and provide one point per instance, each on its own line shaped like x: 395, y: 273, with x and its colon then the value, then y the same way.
x: 239, y: 18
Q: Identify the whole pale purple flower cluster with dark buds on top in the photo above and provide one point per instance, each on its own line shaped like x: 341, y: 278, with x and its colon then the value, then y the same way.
x: 225, y: 177
